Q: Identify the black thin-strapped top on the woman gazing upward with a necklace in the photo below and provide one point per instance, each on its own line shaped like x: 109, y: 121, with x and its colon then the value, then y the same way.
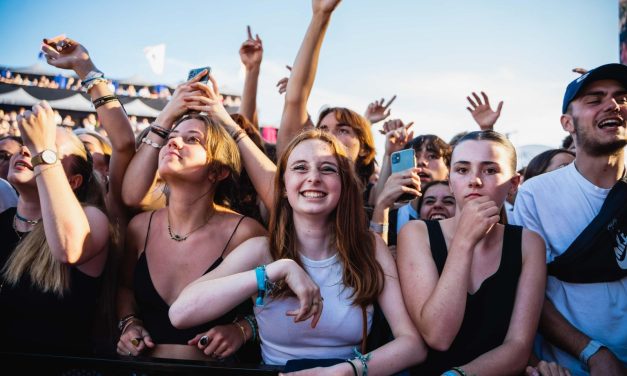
x: 154, y: 310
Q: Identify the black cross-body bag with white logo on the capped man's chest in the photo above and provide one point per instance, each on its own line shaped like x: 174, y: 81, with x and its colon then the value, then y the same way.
x: 597, y: 253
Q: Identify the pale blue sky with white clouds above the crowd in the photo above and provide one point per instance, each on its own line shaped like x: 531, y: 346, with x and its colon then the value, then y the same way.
x: 430, y: 53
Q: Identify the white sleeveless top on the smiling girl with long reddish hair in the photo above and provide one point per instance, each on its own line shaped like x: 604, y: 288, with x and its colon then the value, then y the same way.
x: 338, y: 331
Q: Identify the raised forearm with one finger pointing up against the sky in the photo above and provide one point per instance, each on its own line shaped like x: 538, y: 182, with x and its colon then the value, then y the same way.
x: 251, y: 53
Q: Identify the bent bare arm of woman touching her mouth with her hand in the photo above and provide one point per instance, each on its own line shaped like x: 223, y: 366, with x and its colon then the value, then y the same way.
x: 437, y: 304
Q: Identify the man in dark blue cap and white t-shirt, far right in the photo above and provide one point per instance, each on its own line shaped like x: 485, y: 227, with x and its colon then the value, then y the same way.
x: 581, y: 212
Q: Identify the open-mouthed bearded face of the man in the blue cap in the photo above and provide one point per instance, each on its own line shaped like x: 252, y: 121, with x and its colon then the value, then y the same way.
x: 599, y: 117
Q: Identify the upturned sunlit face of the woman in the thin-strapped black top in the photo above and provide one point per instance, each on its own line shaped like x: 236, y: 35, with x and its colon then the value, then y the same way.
x: 184, y: 153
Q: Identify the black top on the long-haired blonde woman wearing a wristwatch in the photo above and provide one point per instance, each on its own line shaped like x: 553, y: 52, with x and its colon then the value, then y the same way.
x: 32, y: 320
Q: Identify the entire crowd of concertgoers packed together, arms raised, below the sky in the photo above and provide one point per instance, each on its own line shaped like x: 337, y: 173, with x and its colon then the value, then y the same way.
x: 194, y: 239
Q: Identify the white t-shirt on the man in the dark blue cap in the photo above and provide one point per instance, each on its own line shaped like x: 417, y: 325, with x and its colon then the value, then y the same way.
x: 559, y: 205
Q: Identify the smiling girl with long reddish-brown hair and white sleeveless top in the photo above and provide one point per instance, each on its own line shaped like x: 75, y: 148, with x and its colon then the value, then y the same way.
x: 321, y: 263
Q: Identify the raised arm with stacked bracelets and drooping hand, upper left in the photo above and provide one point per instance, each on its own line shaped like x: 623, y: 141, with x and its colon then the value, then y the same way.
x: 69, y: 54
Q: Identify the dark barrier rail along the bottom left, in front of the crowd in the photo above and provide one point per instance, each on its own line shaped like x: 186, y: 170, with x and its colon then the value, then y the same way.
x: 45, y: 364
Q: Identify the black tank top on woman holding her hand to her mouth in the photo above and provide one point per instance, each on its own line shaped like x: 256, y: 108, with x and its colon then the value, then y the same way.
x: 488, y: 311
